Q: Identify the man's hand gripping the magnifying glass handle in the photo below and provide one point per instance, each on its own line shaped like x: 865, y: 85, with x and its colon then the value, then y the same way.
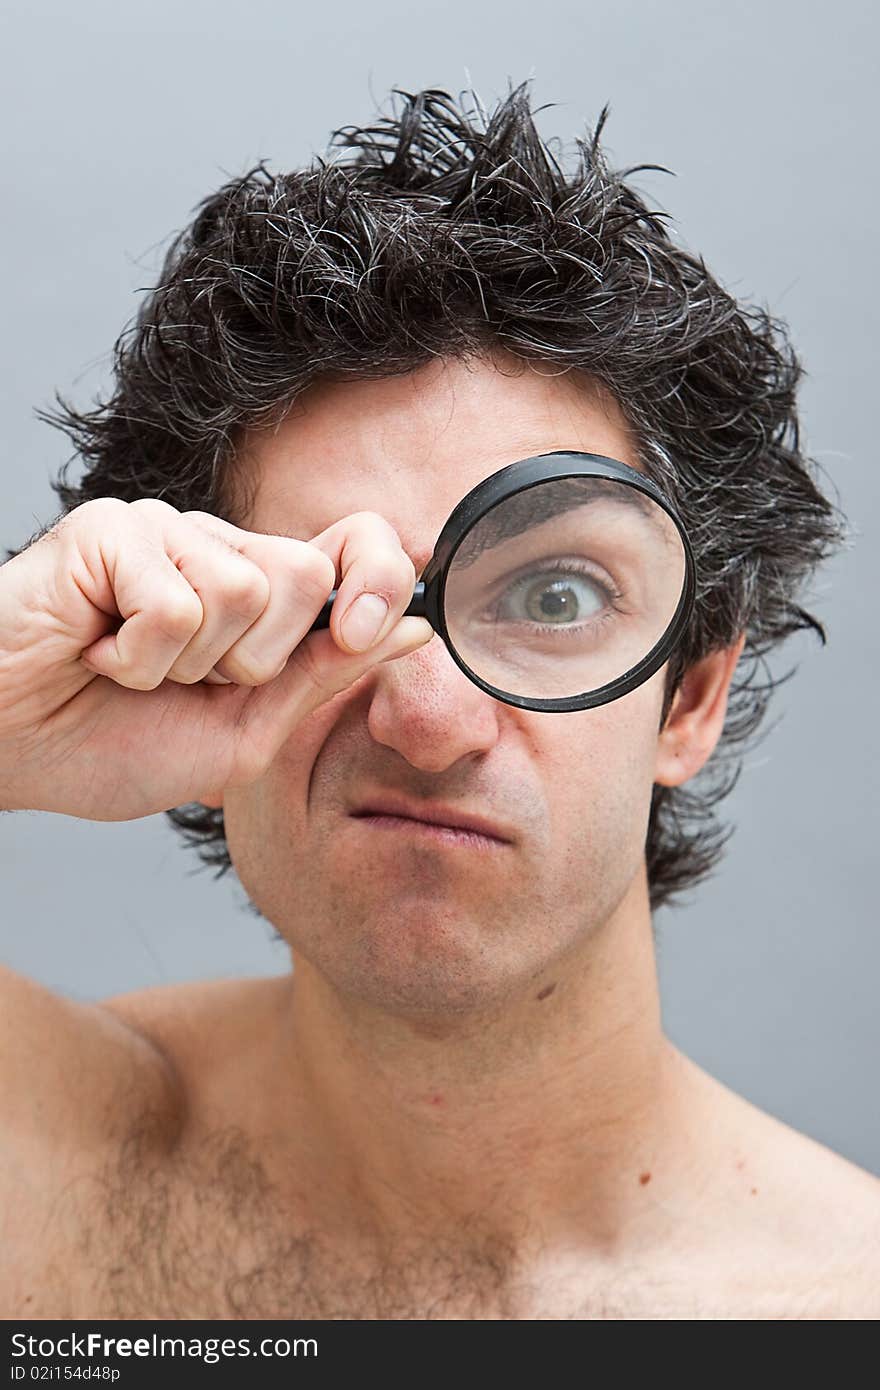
x: 119, y: 623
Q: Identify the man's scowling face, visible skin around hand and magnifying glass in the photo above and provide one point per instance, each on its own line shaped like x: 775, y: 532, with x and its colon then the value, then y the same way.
x: 393, y: 917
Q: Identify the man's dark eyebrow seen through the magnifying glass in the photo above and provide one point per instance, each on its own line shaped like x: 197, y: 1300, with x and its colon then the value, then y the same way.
x: 547, y: 501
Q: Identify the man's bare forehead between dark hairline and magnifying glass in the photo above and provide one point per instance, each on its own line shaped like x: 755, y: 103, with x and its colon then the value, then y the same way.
x: 411, y: 447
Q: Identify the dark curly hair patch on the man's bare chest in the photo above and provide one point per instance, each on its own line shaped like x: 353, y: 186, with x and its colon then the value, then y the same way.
x: 204, y: 1234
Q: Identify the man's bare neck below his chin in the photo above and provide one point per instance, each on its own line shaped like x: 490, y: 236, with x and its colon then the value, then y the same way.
x: 546, y: 1117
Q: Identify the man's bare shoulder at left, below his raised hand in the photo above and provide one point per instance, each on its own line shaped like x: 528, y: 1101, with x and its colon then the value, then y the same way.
x: 77, y: 1084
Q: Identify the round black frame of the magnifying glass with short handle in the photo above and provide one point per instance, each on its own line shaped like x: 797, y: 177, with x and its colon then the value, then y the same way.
x: 429, y: 596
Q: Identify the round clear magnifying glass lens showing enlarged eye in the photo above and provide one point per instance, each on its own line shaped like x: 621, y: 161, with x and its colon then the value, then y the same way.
x: 564, y: 587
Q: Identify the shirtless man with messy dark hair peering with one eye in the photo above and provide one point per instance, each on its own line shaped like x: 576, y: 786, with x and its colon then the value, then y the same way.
x: 461, y: 1102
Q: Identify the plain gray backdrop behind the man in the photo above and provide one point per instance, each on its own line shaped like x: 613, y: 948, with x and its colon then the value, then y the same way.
x: 117, y: 119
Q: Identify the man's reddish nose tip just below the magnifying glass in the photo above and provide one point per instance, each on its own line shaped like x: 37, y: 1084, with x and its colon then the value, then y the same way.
x: 429, y: 711
